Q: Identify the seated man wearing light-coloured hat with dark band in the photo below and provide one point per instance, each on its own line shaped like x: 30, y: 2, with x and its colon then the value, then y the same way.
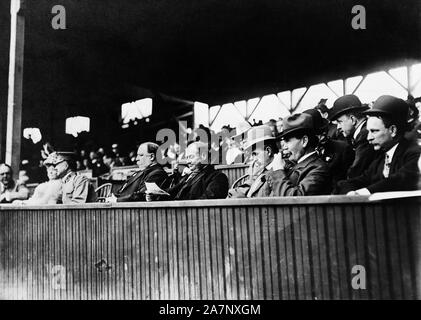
x: 262, y: 144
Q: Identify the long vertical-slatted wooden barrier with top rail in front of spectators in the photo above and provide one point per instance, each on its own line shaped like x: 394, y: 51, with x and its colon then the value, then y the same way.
x: 280, y: 248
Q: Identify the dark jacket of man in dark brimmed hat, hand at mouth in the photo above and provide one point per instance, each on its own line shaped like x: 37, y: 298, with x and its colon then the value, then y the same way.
x: 309, y: 177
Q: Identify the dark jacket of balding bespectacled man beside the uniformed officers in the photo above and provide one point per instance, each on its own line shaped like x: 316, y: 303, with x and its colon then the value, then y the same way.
x: 134, y: 189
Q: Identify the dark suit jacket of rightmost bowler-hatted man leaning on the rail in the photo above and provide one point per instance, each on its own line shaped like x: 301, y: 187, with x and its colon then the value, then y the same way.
x: 403, y: 174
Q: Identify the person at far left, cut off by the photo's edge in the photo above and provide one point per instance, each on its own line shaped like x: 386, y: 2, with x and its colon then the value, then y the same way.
x: 9, y: 189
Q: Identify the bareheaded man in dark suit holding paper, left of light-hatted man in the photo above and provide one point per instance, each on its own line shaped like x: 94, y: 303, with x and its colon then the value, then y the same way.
x: 202, y: 181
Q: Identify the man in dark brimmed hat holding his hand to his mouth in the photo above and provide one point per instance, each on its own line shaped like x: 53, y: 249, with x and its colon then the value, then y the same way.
x: 309, y: 175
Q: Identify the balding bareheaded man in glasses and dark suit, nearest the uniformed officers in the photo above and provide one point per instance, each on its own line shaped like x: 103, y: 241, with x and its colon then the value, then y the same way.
x: 150, y: 171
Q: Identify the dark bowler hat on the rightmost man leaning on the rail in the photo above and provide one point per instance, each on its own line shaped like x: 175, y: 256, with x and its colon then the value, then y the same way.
x: 394, y: 108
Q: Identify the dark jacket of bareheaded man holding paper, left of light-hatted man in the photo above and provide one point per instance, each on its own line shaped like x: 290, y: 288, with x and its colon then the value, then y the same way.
x: 207, y: 184
